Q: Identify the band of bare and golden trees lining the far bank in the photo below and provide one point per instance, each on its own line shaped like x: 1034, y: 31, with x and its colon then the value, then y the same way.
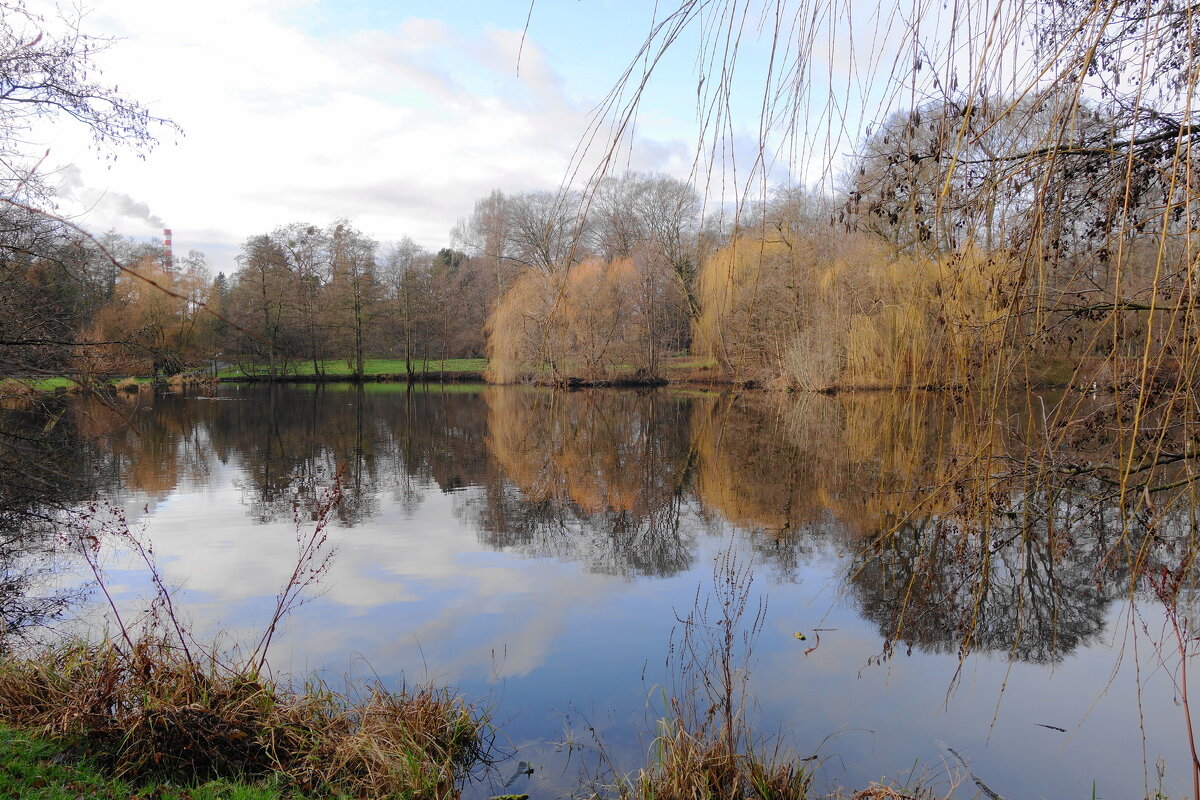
x: 955, y: 251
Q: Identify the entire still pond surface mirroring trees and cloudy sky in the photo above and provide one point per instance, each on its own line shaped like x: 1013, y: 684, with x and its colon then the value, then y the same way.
x: 537, y: 550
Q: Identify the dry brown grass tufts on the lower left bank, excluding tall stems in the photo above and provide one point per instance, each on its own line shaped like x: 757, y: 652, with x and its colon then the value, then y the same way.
x: 157, y: 714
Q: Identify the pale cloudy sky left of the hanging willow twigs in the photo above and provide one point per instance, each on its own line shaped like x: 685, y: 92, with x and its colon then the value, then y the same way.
x: 397, y: 116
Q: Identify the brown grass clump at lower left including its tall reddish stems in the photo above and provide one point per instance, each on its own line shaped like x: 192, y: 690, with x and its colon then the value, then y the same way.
x: 152, y: 705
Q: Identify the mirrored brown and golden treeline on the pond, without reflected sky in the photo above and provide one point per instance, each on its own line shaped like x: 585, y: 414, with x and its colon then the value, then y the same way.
x: 625, y: 483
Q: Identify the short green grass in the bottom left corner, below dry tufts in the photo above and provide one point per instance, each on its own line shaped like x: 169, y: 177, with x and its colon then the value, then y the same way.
x: 28, y: 771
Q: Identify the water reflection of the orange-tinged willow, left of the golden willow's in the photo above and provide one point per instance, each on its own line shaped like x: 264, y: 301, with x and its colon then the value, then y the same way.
x: 595, y: 477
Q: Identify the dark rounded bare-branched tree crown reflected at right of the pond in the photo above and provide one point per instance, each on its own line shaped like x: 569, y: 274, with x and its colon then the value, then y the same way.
x: 943, y: 587
